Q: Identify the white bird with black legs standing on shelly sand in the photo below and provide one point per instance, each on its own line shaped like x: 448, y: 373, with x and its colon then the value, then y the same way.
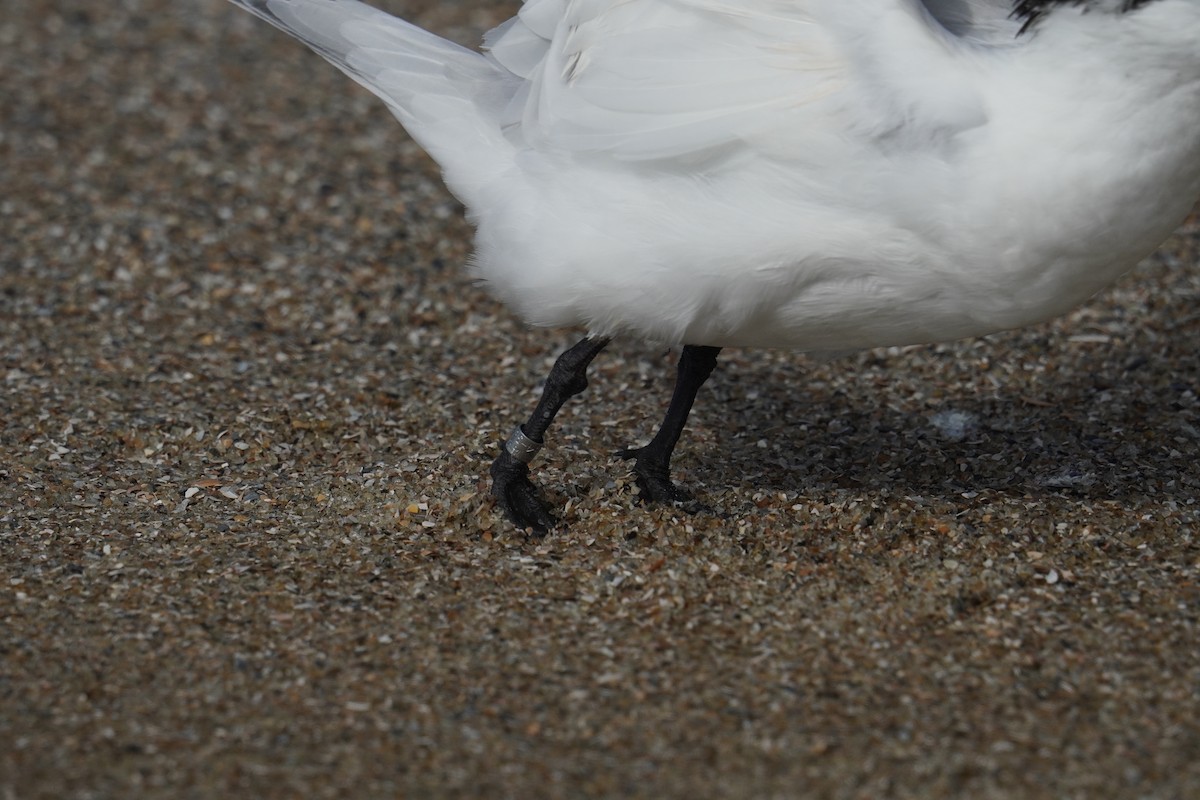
x: 814, y: 176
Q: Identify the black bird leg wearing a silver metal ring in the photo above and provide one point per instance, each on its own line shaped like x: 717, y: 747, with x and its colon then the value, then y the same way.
x: 512, y: 486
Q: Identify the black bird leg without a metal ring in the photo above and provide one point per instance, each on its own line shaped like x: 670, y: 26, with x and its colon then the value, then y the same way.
x: 653, y: 462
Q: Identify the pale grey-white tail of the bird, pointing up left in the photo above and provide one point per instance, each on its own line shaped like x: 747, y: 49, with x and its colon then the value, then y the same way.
x: 448, y: 98
